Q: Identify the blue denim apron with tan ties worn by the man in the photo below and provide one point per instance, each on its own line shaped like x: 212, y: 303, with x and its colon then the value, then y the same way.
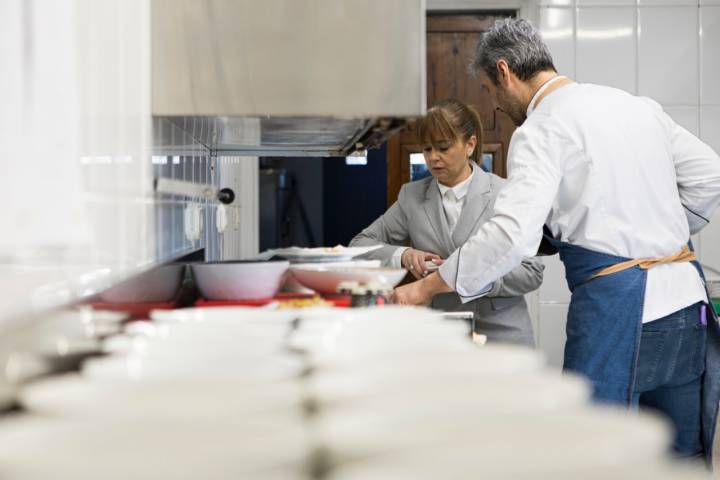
x: 604, y: 325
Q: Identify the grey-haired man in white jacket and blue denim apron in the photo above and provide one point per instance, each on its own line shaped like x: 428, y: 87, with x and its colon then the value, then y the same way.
x: 617, y: 187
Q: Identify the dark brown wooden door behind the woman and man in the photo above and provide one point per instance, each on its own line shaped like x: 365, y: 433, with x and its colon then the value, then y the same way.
x: 451, y: 42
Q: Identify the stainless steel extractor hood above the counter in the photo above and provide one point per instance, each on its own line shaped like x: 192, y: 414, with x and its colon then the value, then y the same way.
x: 288, y: 77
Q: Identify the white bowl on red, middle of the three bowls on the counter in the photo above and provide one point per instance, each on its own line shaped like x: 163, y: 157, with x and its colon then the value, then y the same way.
x: 239, y: 280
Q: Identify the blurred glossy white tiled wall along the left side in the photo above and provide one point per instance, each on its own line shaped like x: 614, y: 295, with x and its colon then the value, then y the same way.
x: 79, y: 152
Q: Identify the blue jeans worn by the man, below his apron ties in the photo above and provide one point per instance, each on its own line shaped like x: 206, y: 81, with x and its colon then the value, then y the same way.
x: 669, y: 372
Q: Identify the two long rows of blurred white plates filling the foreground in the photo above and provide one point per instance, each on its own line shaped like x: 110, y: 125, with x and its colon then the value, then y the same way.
x: 396, y: 393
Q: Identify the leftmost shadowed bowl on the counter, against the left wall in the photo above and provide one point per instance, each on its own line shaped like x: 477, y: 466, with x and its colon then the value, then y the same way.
x: 158, y: 285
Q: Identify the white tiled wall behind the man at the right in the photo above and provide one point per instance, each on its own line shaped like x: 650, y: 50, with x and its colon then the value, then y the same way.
x: 665, y: 49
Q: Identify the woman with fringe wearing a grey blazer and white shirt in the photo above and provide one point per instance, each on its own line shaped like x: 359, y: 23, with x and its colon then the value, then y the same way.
x: 434, y: 216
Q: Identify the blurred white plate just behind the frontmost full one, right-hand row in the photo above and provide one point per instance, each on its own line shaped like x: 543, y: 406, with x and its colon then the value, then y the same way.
x: 416, y: 394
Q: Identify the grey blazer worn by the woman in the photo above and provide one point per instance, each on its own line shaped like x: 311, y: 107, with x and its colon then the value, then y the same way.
x: 418, y: 219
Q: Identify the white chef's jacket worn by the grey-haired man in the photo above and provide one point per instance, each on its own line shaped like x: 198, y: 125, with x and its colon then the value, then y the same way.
x: 604, y: 170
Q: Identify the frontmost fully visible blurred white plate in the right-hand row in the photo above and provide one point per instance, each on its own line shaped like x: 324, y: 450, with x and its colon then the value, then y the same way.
x: 448, y: 444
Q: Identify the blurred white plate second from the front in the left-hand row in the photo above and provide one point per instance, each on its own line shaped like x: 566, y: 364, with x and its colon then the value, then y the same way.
x: 72, y: 396
